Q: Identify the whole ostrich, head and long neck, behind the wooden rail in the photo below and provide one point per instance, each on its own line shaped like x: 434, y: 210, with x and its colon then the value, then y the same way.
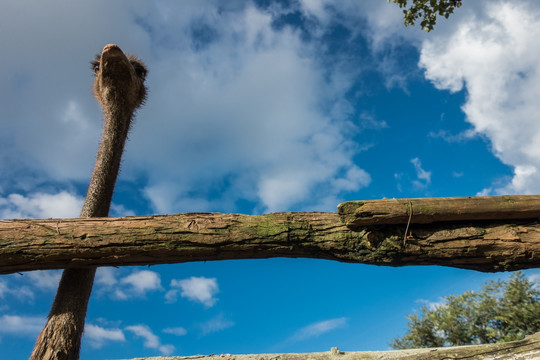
x: 119, y: 89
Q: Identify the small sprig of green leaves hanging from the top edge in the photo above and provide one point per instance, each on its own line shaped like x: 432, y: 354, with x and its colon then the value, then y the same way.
x: 427, y: 10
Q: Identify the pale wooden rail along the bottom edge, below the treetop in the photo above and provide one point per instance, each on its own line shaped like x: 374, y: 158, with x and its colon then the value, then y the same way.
x: 526, y: 349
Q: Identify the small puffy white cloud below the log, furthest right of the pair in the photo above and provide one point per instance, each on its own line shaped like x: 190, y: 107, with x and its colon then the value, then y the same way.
x: 199, y: 289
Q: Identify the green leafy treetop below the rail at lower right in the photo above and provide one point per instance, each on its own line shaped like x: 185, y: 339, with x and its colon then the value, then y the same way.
x: 501, y: 311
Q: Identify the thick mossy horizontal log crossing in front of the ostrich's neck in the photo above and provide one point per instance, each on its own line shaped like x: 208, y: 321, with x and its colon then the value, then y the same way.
x: 63, y: 243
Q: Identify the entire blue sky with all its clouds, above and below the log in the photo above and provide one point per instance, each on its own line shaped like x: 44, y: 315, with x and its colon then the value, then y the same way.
x: 256, y: 107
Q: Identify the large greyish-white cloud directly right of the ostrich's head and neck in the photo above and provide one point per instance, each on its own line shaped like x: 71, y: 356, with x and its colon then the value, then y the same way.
x: 264, y: 130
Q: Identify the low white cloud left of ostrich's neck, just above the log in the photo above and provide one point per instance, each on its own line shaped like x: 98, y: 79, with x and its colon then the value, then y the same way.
x: 40, y: 205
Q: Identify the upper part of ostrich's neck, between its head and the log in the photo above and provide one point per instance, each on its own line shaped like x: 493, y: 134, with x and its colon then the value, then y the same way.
x: 100, y: 190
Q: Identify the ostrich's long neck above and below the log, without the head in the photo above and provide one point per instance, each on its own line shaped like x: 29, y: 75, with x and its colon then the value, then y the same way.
x: 60, y: 339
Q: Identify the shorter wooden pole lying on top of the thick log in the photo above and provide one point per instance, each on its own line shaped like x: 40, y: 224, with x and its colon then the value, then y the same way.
x: 429, y: 210
